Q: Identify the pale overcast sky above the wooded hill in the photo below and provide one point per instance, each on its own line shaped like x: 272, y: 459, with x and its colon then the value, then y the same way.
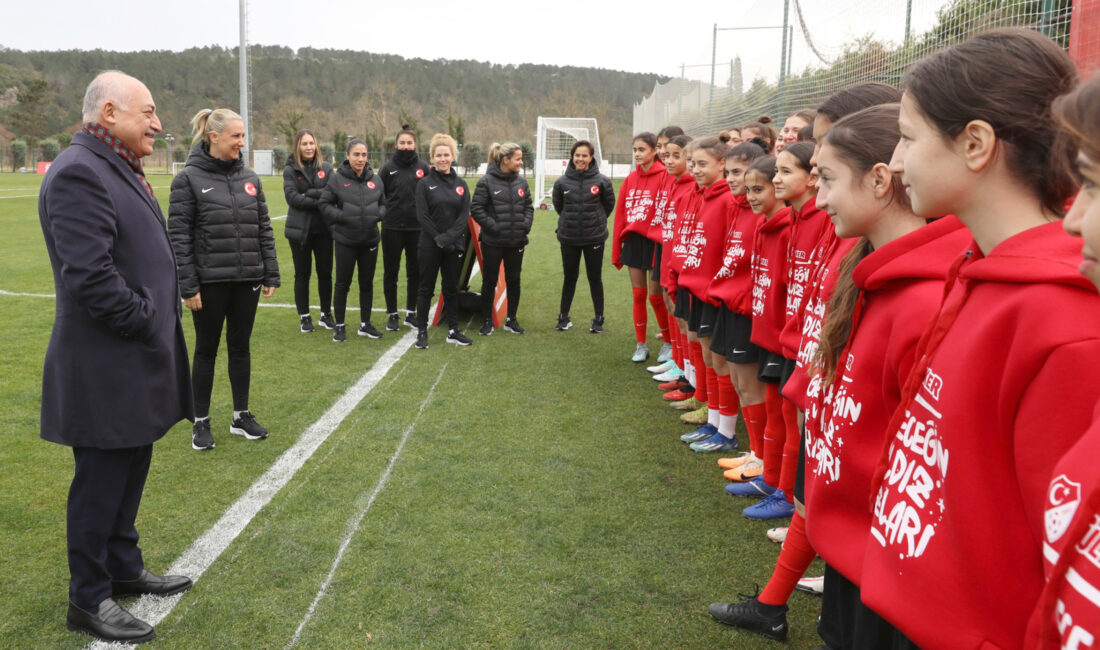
x: 648, y: 37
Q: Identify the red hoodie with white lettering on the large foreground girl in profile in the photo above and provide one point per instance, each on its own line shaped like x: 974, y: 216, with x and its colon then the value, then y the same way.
x: 1005, y: 383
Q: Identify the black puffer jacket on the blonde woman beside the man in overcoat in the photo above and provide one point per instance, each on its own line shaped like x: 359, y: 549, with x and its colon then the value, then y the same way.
x: 219, y: 226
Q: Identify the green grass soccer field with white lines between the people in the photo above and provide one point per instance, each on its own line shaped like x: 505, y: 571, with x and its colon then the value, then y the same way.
x: 529, y: 491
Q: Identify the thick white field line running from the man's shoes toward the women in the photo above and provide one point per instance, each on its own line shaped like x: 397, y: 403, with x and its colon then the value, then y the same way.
x: 213, y: 544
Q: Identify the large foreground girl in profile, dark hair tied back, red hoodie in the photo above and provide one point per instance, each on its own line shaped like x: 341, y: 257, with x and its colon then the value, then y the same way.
x: 1008, y: 372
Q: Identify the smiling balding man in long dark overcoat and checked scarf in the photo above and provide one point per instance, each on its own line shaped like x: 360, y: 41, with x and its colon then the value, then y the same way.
x: 116, y: 376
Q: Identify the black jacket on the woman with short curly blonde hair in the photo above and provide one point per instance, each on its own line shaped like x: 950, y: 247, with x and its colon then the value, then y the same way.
x: 443, y: 210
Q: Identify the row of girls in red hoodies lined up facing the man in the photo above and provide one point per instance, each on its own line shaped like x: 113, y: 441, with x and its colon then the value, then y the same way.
x: 951, y: 475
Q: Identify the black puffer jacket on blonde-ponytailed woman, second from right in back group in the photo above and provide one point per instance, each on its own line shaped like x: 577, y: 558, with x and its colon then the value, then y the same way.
x: 503, y: 207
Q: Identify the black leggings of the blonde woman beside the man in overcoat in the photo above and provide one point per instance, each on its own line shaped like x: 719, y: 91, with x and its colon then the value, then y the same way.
x: 235, y: 305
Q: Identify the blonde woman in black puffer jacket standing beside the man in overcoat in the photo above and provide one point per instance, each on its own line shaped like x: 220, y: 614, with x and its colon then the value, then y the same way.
x: 225, y: 252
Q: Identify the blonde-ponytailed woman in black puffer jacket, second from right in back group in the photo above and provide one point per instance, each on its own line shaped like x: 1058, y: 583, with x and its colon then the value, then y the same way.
x: 503, y: 207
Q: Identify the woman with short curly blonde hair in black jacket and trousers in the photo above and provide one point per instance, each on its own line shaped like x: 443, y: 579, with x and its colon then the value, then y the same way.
x: 443, y: 208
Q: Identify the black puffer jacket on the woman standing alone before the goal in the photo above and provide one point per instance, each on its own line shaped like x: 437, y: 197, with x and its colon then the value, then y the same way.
x: 584, y: 202
